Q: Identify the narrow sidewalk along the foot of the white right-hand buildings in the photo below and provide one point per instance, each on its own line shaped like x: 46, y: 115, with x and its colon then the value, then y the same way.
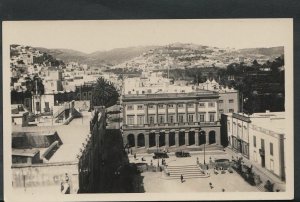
x: 264, y: 174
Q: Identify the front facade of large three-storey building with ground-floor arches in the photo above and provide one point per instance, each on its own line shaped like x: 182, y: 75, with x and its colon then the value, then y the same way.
x: 170, y: 119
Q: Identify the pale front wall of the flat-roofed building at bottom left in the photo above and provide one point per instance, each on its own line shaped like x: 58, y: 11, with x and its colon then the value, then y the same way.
x: 45, y: 175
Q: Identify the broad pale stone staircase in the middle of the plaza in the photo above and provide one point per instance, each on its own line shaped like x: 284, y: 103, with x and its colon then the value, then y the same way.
x: 188, y: 171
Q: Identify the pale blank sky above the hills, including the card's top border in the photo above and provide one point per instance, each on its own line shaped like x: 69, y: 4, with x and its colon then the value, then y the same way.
x: 90, y: 36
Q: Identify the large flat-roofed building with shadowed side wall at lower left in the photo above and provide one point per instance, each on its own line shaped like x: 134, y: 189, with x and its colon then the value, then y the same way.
x: 44, y: 159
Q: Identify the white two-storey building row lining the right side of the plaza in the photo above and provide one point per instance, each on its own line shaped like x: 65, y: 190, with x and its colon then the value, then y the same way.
x: 260, y: 138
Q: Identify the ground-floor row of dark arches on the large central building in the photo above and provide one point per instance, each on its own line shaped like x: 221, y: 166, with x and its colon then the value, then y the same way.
x: 171, y: 138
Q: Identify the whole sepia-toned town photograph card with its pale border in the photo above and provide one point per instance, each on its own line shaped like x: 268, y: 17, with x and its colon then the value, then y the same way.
x: 148, y: 109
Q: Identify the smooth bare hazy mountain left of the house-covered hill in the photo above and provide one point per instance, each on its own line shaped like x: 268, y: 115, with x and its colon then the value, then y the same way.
x: 113, y: 57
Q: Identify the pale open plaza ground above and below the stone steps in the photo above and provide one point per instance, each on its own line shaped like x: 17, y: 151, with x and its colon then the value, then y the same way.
x: 156, y: 182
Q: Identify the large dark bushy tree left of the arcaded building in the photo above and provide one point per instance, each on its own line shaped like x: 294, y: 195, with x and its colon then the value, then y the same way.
x: 104, y: 93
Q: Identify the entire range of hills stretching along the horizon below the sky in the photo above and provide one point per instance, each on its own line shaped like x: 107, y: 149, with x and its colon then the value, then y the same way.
x: 156, y: 54
